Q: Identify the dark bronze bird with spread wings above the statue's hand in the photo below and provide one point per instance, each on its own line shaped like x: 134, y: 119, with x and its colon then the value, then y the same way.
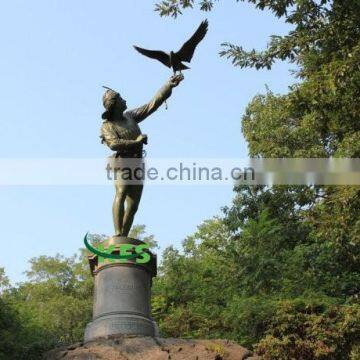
x: 174, y: 59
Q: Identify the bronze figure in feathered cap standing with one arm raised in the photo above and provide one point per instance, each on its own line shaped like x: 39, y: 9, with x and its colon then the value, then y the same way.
x: 121, y: 133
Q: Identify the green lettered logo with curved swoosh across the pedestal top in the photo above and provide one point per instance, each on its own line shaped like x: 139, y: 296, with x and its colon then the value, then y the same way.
x: 126, y: 252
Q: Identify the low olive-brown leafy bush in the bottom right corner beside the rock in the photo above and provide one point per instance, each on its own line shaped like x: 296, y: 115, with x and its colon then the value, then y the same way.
x: 300, y: 330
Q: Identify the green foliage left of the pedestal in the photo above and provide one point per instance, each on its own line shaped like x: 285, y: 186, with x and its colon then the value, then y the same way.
x: 50, y: 309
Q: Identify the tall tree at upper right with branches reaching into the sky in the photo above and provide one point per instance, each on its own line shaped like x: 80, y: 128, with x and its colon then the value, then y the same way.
x: 317, y: 118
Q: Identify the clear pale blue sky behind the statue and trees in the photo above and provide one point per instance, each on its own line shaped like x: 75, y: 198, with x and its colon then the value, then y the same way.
x: 55, y: 57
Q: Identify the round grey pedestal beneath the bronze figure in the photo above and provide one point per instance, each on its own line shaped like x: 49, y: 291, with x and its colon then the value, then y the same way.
x: 122, y: 294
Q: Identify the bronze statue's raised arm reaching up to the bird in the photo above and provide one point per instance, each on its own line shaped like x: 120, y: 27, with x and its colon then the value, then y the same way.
x: 142, y: 112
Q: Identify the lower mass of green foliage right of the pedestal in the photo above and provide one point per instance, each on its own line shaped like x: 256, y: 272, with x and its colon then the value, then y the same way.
x: 249, y: 286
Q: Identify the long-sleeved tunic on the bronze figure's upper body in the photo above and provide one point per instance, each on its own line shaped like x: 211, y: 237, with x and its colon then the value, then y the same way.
x: 119, y: 135
